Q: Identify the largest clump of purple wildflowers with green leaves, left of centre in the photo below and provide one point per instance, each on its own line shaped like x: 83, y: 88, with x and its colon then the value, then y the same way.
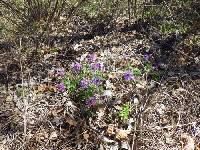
x: 83, y: 80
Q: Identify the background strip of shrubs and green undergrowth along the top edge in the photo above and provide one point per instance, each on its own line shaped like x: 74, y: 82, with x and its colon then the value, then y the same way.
x: 33, y: 17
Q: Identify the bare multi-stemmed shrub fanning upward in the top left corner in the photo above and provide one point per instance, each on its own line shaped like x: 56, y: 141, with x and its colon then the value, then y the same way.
x: 31, y: 17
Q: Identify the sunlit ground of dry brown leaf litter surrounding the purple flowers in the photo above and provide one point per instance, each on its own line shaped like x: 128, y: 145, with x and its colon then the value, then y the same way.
x: 157, y: 109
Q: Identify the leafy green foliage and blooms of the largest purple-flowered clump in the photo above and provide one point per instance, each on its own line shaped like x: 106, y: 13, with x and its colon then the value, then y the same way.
x: 83, y: 81
